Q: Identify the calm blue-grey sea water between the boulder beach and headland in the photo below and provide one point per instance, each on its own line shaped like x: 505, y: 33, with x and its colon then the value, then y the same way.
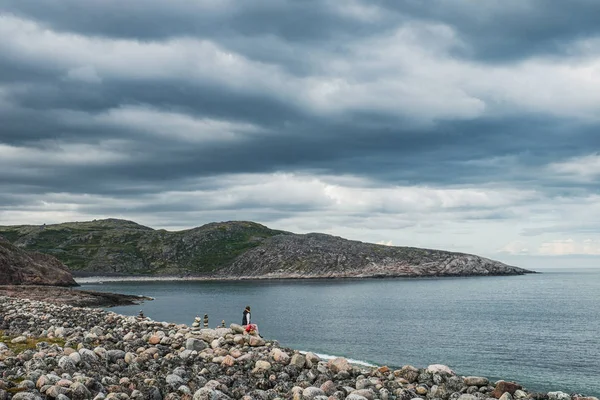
x: 540, y: 330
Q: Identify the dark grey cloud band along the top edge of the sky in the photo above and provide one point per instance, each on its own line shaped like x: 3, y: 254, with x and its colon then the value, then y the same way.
x: 492, y: 30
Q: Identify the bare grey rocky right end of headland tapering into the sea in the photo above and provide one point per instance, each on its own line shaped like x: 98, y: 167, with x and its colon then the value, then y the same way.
x: 323, y: 256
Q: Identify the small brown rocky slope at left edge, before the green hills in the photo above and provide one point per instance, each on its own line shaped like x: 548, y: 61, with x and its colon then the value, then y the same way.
x: 19, y: 267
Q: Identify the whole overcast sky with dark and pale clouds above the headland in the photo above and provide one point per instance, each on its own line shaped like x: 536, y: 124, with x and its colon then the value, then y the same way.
x: 451, y: 124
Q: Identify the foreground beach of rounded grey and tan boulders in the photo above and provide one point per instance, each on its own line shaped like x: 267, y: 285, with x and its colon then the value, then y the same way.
x: 50, y: 351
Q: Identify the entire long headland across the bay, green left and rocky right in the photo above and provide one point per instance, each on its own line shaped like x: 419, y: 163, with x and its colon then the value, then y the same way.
x: 236, y: 249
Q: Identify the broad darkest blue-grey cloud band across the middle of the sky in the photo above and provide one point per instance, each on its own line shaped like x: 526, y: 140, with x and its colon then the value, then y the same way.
x: 438, y: 155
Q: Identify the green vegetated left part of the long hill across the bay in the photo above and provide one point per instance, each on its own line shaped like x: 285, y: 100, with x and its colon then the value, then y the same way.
x: 120, y: 246
